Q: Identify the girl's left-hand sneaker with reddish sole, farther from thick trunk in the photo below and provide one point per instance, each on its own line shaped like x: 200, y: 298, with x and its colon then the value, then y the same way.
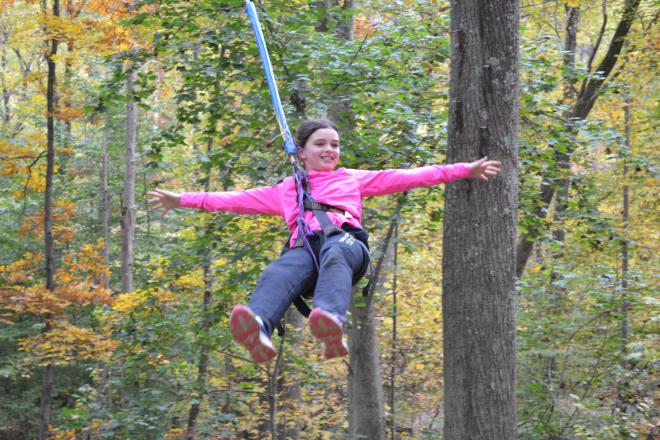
x: 247, y: 330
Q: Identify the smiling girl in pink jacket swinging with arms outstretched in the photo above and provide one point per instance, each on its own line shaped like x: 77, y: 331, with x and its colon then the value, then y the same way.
x: 342, y: 254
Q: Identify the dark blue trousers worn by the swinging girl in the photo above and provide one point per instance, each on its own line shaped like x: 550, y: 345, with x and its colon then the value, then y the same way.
x: 342, y: 261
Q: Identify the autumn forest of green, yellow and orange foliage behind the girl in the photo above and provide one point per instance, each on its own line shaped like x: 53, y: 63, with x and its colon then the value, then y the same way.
x: 114, y: 318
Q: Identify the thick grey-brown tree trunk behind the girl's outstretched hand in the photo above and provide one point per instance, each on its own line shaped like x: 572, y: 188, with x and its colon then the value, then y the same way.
x: 480, y: 224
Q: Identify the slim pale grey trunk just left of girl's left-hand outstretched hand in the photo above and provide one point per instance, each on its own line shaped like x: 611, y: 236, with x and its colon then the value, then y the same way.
x: 128, y: 208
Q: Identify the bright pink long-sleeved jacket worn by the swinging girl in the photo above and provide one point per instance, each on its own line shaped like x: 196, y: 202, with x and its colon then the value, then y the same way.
x: 342, y: 188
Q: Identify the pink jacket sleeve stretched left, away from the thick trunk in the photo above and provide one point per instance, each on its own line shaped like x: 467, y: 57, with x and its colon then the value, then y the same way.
x: 261, y: 200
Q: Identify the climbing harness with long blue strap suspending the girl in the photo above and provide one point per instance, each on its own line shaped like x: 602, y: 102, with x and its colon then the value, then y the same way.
x: 304, y: 197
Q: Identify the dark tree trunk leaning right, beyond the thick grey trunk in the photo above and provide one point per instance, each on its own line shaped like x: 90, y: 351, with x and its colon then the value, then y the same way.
x: 589, y: 91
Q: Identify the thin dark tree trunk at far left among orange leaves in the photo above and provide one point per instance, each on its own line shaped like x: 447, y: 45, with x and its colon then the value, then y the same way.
x: 51, y: 103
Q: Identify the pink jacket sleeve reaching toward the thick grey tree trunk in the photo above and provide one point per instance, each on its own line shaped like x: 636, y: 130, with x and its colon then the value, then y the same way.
x: 378, y: 183
